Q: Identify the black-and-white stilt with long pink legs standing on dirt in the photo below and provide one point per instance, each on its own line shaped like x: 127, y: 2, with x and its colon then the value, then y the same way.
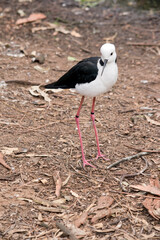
x: 90, y: 77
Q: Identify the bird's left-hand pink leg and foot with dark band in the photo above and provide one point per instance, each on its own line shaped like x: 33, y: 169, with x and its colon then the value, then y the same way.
x: 85, y: 162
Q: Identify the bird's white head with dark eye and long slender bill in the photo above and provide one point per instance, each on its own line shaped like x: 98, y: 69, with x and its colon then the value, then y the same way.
x: 108, y: 54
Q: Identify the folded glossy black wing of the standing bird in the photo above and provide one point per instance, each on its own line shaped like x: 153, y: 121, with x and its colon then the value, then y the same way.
x: 83, y: 72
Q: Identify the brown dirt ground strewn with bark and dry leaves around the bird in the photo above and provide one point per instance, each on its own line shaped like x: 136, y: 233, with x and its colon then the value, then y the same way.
x: 39, y: 139
